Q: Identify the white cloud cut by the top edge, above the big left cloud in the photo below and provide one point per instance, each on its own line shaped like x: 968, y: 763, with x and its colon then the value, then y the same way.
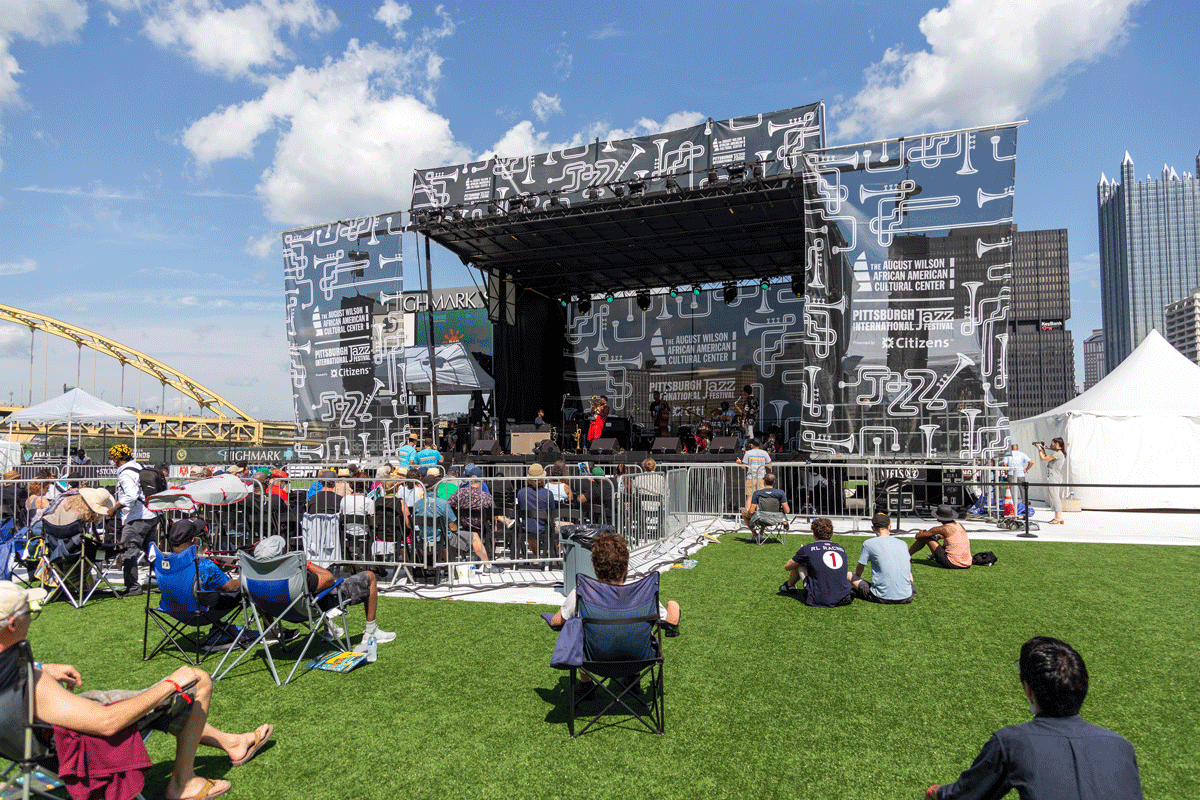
x: 236, y: 43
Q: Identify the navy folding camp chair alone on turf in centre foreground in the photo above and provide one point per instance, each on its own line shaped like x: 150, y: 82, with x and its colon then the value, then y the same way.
x: 622, y: 642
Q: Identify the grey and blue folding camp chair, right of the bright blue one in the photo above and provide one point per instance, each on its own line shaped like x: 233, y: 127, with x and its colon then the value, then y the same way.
x: 277, y: 590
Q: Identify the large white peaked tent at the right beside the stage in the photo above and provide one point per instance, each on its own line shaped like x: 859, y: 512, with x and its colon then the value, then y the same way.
x: 1139, y: 425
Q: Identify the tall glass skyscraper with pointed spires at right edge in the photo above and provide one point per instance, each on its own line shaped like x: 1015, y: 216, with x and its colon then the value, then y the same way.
x: 1150, y: 252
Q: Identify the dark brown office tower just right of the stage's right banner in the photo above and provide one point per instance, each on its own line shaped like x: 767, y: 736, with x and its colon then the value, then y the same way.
x: 1041, y: 350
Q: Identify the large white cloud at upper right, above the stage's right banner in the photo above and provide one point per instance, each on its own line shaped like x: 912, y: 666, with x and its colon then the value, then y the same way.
x: 987, y: 62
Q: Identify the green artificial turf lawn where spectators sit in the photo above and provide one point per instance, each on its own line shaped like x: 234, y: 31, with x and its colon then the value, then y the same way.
x: 766, y: 697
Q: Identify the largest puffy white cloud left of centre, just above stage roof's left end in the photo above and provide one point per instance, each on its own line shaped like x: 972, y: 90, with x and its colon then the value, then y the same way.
x: 349, y: 135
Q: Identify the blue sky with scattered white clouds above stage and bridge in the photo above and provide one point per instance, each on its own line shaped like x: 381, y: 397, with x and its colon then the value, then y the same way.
x: 151, y: 153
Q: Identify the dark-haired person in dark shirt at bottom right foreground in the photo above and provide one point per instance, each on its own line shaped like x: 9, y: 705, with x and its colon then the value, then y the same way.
x: 1058, y: 754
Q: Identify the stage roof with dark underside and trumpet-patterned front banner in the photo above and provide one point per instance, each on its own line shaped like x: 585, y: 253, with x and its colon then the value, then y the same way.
x: 715, y: 203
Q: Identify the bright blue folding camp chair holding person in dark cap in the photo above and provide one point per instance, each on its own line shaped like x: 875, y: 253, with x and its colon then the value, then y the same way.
x: 183, y: 605
